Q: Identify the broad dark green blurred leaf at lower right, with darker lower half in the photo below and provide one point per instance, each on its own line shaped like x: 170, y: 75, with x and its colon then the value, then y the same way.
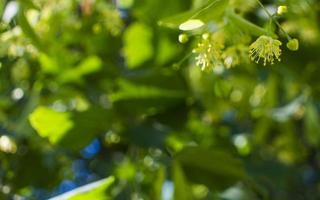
x: 214, y: 168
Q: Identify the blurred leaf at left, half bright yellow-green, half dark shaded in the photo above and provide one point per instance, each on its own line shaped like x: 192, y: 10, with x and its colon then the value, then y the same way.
x: 70, y: 130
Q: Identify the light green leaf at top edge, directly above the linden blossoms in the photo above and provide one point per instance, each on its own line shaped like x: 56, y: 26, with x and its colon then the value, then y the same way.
x: 211, y: 11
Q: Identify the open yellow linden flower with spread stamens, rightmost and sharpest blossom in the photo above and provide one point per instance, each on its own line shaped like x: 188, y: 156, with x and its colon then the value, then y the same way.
x: 265, y: 48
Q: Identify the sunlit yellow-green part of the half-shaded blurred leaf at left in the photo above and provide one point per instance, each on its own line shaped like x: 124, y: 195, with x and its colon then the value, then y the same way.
x: 51, y: 124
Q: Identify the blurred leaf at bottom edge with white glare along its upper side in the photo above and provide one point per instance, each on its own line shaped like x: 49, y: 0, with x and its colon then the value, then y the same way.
x: 96, y: 191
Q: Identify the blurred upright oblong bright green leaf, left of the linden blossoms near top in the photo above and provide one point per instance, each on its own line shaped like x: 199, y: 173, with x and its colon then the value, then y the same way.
x: 138, y: 46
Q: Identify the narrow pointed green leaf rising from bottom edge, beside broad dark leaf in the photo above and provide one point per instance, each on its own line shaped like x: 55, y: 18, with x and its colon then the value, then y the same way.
x: 182, y: 190
